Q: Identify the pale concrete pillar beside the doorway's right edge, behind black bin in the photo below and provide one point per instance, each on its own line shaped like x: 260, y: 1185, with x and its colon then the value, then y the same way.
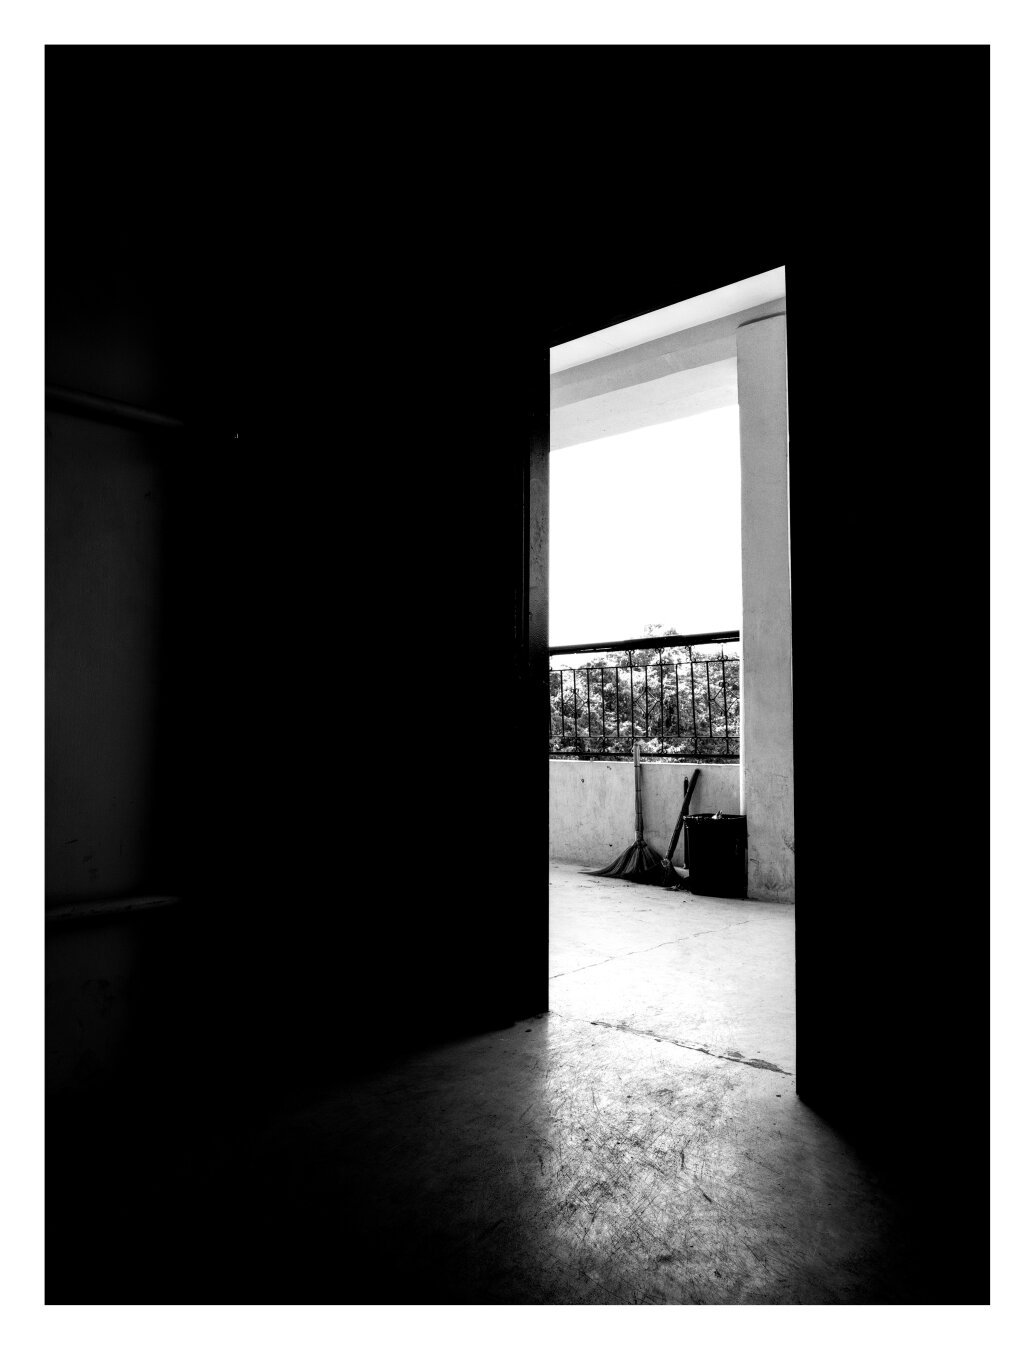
x: 767, y: 758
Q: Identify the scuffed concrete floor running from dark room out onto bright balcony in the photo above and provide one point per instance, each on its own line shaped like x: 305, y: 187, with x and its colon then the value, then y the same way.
x: 643, y: 1143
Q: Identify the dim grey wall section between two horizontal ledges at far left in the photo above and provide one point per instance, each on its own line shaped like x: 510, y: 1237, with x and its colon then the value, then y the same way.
x: 106, y: 497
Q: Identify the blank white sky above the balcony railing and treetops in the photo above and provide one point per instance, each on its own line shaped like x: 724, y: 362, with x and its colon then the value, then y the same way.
x: 646, y: 529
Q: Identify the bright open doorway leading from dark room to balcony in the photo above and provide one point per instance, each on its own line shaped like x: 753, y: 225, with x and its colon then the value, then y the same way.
x: 659, y: 470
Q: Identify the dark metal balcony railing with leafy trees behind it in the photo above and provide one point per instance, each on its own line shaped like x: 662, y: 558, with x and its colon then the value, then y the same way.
x: 685, y: 705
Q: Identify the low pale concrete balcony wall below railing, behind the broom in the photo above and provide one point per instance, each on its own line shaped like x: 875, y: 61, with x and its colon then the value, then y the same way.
x: 593, y: 805
